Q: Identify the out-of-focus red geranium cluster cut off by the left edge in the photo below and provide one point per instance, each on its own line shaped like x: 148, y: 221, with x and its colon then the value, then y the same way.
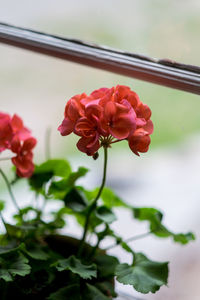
x: 17, y: 138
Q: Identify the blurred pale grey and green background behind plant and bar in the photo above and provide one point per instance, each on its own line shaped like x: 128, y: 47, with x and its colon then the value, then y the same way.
x: 37, y: 87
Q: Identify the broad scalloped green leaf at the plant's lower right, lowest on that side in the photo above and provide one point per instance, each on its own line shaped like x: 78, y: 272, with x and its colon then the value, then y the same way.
x: 144, y: 275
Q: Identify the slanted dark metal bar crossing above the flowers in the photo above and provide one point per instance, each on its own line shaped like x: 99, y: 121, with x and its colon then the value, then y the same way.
x: 162, y: 72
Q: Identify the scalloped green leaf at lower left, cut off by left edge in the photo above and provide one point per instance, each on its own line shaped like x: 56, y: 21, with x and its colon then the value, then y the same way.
x: 13, y: 264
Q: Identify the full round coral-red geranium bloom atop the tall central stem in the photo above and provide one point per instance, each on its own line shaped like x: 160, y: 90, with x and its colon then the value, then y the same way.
x: 107, y: 116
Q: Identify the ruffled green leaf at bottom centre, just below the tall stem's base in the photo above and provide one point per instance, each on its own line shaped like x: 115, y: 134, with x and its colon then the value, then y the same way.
x: 75, y: 266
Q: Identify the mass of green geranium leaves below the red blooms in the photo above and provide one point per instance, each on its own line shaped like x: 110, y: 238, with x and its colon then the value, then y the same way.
x: 39, y: 263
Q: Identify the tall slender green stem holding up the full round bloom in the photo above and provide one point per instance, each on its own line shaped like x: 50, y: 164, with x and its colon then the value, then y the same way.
x: 94, y: 202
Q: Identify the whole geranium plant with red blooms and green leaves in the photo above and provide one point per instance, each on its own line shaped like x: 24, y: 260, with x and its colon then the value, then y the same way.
x: 36, y: 261
